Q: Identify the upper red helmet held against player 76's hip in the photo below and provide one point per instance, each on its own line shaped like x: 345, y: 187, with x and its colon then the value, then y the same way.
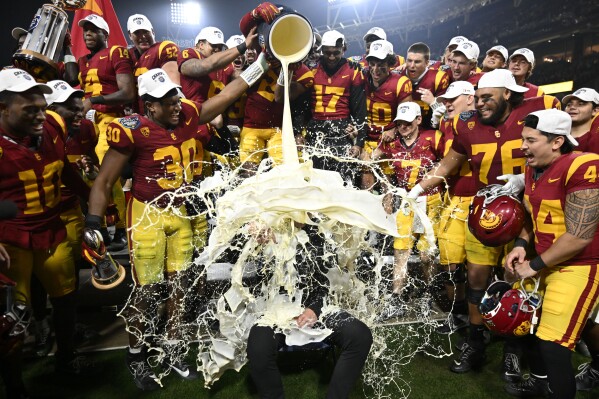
x: 495, y: 217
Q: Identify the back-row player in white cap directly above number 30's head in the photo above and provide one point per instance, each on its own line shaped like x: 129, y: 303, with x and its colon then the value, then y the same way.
x: 147, y: 53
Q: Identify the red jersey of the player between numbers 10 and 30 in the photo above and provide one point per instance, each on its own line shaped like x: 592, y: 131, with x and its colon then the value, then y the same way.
x: 78, y: 143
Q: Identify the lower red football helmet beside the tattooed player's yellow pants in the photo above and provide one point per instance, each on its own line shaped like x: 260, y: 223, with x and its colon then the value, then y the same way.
x: 511, y: 311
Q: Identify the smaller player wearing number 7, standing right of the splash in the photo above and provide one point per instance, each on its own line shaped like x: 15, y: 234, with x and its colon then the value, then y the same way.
x: 411, y: 154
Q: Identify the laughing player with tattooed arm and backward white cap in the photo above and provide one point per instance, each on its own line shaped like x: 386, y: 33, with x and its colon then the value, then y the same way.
x: 561, y: 196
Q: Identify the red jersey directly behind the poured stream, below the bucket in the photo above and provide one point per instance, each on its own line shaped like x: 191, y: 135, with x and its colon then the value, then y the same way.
x: 261, y: 110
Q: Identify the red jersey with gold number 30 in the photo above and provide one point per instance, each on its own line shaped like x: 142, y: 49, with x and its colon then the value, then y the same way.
x: 161, y: 159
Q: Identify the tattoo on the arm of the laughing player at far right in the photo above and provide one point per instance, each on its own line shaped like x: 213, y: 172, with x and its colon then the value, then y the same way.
x: 582, y: 213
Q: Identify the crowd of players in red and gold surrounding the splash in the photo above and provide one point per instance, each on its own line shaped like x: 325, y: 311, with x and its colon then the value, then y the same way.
x: 440, y: 130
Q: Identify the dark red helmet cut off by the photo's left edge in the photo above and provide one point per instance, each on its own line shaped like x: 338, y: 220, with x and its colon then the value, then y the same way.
x: 14, y: 317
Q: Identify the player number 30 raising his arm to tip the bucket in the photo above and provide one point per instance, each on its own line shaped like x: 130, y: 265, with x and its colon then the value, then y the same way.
x: 160, y: 146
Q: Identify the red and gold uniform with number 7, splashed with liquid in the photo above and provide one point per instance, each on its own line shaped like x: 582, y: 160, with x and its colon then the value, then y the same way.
x: 410, y: 165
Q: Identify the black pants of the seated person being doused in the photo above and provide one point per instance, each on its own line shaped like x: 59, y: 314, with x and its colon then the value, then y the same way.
x: 349, y: 334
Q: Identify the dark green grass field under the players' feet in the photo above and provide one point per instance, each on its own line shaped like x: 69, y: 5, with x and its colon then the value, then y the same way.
x: 305, y: 376
